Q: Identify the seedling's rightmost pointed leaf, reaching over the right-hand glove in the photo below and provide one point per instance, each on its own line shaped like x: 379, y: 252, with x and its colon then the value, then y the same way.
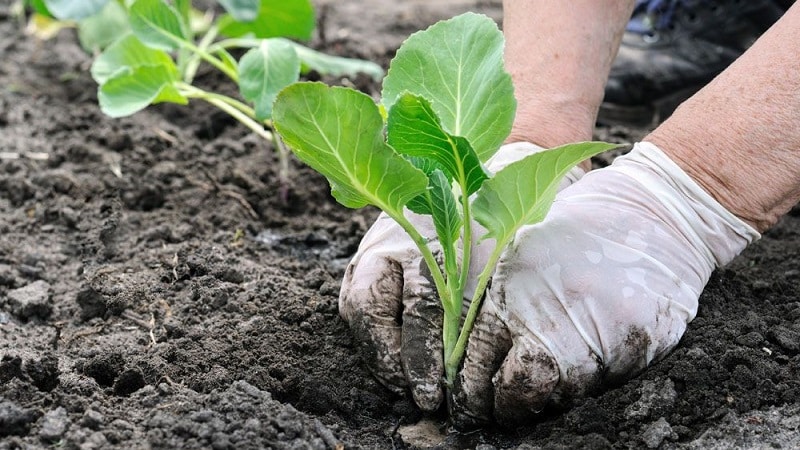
x: 522, y: 192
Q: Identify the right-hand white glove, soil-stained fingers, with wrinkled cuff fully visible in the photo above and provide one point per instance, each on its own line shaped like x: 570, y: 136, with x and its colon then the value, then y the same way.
x: 601, y: 288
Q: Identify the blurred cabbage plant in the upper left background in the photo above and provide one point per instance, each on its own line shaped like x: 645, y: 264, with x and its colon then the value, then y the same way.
x: 150, y: 51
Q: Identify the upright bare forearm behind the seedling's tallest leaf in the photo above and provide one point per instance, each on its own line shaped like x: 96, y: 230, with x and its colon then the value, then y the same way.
x: 559, y: 54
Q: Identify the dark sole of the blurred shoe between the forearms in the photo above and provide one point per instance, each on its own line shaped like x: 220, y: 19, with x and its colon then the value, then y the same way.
x: 643, y: 116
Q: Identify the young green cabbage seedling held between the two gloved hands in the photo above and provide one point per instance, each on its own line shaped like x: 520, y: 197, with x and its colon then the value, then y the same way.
x: 447, y: 106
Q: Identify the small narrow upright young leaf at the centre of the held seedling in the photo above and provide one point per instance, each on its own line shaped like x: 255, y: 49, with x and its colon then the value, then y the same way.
x: 446, y: 218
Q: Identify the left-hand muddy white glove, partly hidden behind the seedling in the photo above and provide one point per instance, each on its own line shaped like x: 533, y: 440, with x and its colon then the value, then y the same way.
x: 390, y: 302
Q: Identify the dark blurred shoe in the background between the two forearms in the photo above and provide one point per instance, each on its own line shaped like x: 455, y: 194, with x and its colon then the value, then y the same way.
x: 672, y: 48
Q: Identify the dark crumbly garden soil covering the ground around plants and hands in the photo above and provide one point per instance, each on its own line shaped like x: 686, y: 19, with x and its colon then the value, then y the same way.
x: 159, y: 289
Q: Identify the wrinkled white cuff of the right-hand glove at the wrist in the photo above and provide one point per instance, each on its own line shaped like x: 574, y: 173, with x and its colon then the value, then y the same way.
x: 705, y: 221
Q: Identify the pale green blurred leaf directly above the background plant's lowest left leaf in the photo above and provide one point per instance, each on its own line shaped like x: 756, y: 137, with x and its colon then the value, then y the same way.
x: 130, y: 52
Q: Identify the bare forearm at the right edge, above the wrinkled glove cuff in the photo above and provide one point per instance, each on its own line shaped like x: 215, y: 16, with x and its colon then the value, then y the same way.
x: 739, y: 137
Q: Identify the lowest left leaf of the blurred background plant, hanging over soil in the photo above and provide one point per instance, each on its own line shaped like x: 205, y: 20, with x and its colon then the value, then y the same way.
x: 132, y: 89
